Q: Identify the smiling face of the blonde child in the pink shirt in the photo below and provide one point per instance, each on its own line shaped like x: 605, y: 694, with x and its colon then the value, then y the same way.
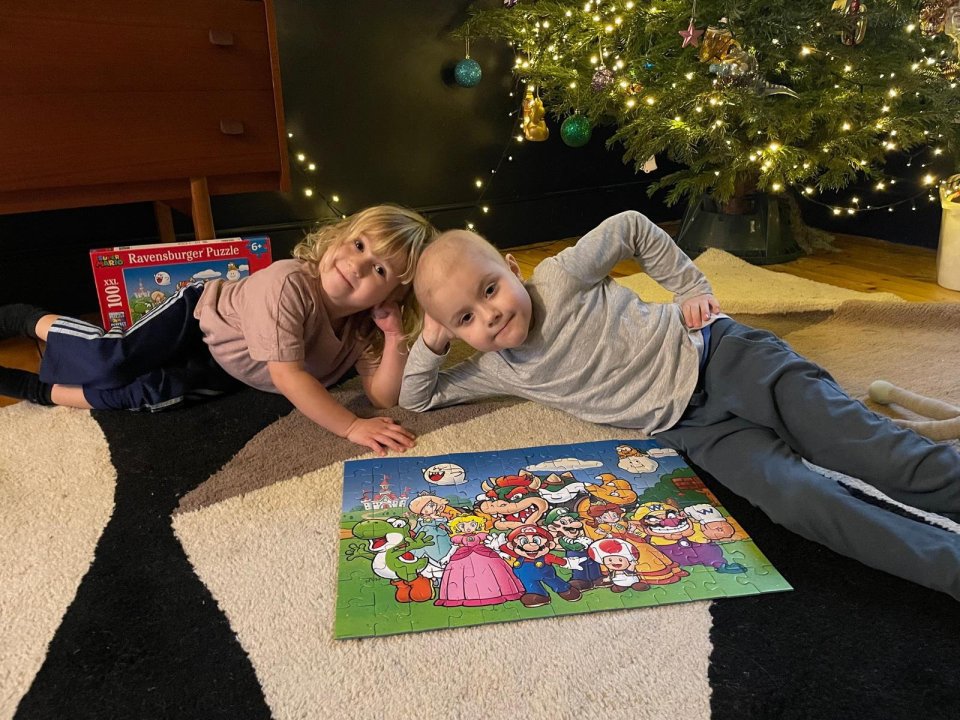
x: 354, y: 277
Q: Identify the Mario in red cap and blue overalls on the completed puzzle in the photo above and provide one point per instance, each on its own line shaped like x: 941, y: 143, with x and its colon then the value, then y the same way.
x: 528, y: 548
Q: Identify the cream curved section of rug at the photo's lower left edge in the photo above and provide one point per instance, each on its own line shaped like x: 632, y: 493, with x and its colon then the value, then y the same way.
x: 56, y: 496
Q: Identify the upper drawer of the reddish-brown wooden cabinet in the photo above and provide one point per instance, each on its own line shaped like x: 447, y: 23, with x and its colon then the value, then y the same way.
x: 49, y: 46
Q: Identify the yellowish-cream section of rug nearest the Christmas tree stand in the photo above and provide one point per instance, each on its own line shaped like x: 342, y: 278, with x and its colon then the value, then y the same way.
x: 745, y: 288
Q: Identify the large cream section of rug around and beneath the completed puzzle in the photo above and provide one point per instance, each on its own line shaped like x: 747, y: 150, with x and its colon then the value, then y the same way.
x: 269, y: 558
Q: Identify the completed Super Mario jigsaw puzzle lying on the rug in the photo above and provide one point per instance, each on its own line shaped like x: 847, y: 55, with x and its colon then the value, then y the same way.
x: 471, y: 538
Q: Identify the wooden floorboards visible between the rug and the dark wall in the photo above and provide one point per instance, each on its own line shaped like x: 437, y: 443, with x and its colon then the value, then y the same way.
x: 860, y: 264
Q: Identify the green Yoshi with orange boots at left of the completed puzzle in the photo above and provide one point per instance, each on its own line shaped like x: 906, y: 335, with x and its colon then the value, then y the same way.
x: 391, y: 543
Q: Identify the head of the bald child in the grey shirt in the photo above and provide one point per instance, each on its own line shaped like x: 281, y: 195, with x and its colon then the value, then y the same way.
x: 464, y: 284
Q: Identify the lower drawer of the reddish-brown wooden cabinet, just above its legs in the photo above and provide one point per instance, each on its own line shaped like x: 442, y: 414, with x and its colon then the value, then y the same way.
x: 131, y: 137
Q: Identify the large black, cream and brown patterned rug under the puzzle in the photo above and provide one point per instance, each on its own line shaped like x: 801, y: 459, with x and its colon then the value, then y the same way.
x: 183, y: 565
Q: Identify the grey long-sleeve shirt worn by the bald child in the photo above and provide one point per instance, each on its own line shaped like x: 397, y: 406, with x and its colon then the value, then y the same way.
x: 595, y: 349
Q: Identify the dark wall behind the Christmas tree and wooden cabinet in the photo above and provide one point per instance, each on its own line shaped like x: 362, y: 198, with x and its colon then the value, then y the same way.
x: 369, y: 98
